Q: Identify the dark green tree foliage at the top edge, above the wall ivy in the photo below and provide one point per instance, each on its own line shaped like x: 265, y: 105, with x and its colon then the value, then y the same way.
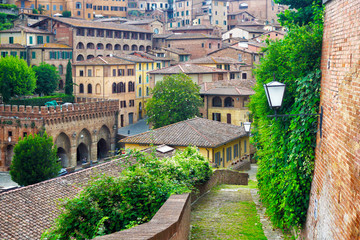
x: 300, y: 12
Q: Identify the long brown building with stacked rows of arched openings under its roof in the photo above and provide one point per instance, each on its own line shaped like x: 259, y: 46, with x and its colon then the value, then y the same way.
x: 91, y: 39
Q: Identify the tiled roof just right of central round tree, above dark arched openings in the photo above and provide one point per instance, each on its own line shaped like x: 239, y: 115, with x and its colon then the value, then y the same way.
x: 228, y: 88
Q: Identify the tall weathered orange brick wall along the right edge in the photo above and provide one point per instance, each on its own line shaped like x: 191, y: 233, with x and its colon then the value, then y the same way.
x: 334, y: 211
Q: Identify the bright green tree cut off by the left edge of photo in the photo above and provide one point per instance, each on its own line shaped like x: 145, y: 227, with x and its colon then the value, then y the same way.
x: 16, y: 78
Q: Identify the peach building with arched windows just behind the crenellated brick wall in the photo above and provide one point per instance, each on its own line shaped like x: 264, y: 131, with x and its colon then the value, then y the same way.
x: 108, y: 78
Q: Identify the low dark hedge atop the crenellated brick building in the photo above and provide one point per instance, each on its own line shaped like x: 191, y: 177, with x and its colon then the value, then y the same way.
x: 40, y: 101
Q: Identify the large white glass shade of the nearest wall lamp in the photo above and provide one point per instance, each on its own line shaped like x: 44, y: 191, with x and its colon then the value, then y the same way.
x: 275, y: 93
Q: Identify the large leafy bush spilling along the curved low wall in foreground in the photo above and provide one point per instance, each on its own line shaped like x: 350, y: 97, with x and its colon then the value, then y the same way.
x: 111, y: 204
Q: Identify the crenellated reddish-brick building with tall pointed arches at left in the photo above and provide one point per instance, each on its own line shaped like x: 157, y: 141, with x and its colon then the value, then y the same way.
x: 84, y: 130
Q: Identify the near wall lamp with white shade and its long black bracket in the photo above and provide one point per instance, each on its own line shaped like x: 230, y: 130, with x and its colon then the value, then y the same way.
x: 275, y: 94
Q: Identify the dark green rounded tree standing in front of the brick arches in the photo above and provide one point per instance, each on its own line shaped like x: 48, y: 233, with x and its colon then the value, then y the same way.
x: 34, y: 160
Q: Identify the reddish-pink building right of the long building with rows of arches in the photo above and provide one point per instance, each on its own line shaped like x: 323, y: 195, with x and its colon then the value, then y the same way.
x: 198, y: 45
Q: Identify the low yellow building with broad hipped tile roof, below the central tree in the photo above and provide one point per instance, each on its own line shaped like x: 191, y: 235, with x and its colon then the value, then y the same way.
x: 221, y: 143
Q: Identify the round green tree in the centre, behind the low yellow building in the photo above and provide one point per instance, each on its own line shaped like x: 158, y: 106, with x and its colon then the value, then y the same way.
x: 174, y: 99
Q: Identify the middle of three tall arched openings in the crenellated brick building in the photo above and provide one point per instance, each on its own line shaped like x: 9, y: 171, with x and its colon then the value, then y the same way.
x: 83, y: 144
